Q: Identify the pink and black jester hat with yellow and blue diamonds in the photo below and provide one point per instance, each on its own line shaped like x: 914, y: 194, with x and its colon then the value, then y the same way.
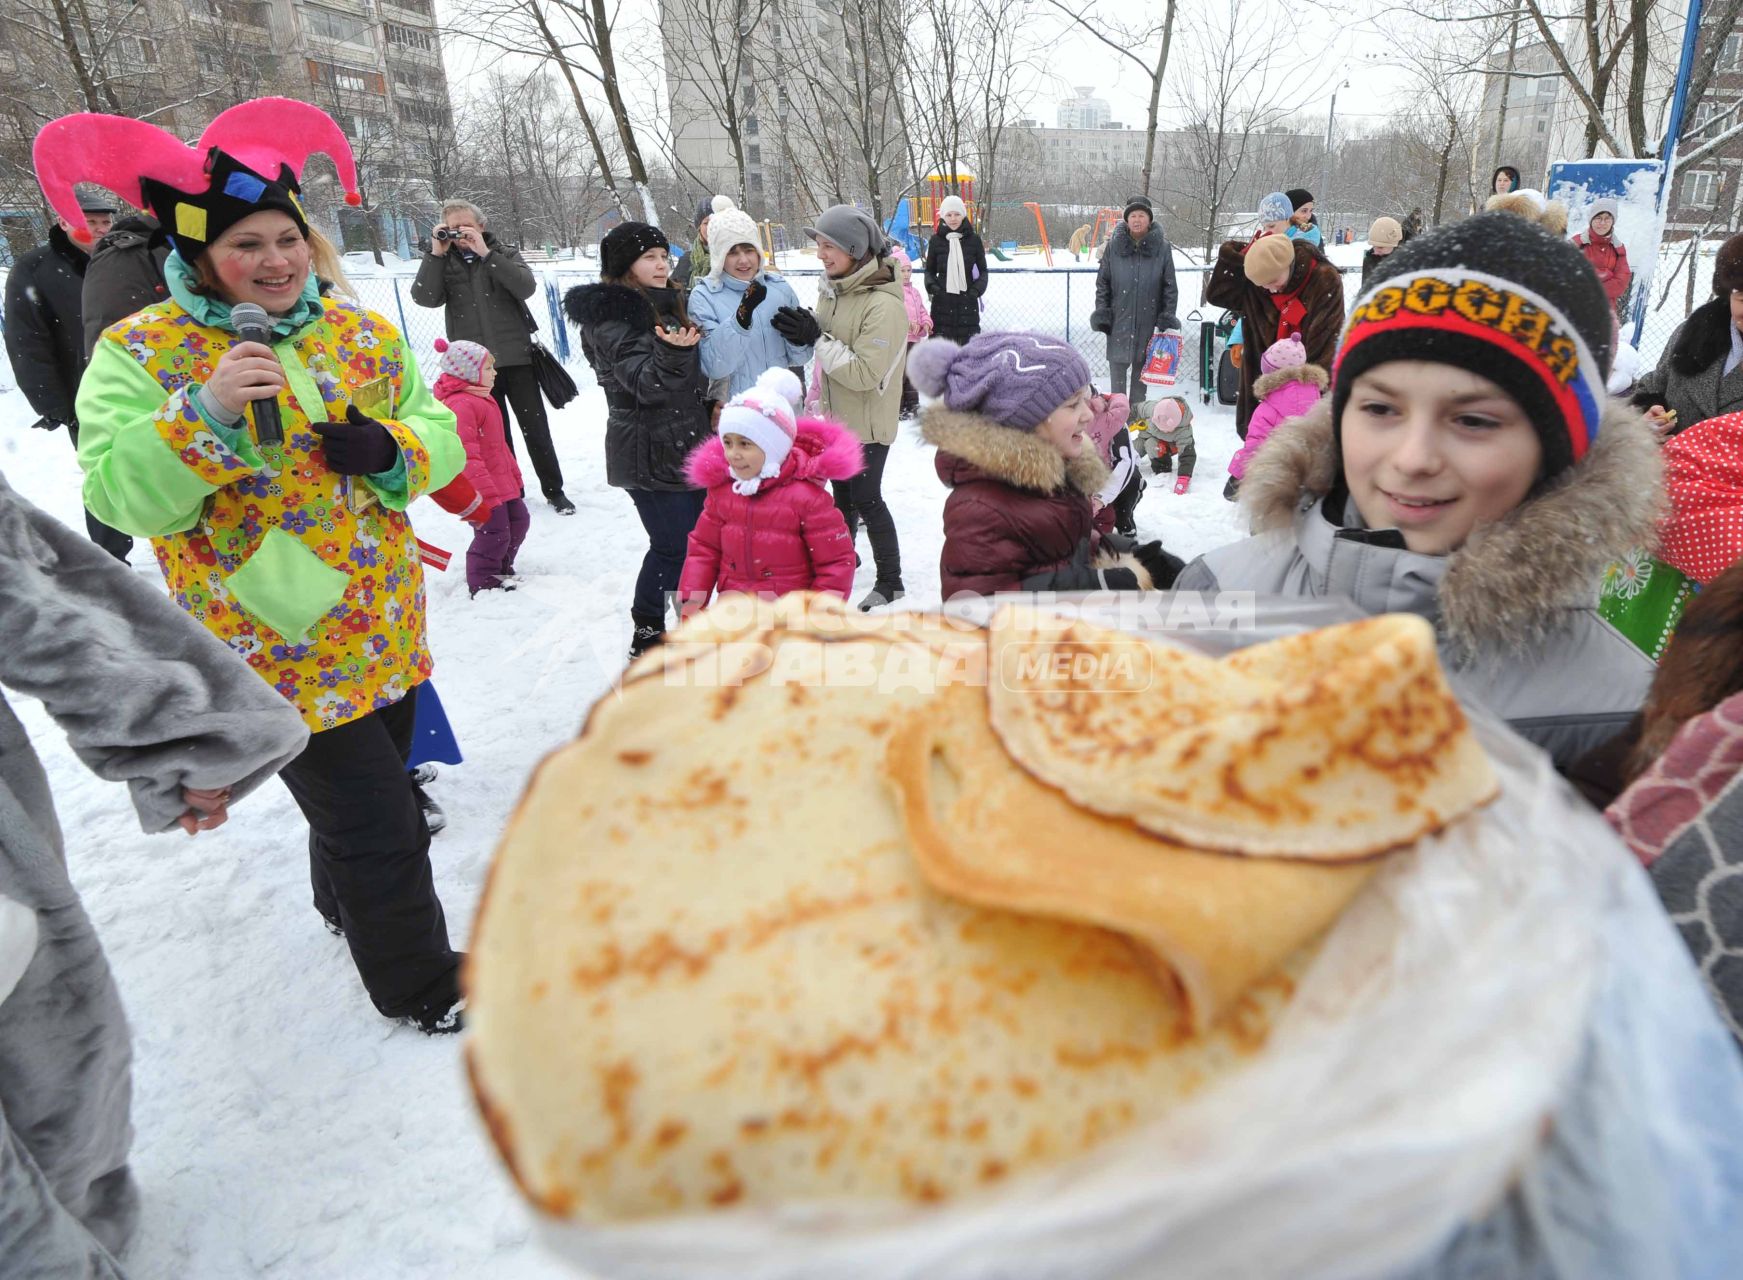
x: 250, y: 160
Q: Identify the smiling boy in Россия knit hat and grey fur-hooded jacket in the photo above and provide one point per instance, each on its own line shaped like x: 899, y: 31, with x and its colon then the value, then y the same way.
x: 1470, y: 468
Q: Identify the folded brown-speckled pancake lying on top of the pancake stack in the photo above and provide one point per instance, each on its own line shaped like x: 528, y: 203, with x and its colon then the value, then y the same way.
x: 1333, y: 746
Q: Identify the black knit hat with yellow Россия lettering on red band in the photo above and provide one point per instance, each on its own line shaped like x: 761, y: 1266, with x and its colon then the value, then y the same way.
x: 1500, y: 297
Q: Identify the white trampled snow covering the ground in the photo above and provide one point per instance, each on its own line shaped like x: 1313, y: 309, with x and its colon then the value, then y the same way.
x: 283, y: 1127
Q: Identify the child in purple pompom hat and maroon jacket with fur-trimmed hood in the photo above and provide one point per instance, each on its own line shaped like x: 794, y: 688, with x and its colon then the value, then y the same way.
x: 1008, y: 419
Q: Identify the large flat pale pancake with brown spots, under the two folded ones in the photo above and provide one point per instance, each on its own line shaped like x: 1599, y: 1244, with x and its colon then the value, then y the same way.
x: 709, y: 972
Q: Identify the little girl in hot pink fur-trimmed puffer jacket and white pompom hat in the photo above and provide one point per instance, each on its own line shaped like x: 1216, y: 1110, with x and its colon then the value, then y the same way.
x: 770, y: 526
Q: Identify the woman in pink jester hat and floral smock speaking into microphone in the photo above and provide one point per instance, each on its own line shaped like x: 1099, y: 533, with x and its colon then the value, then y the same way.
x: 295, y: 552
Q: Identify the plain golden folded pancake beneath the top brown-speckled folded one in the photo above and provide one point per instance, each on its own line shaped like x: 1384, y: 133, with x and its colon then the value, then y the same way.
x: 986, y: 831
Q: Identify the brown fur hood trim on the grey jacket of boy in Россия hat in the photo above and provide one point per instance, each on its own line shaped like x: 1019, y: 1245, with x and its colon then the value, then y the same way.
x: 1512, y: 578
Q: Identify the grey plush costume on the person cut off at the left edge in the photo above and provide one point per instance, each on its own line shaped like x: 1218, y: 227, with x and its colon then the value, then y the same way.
x: 147, y: 697
